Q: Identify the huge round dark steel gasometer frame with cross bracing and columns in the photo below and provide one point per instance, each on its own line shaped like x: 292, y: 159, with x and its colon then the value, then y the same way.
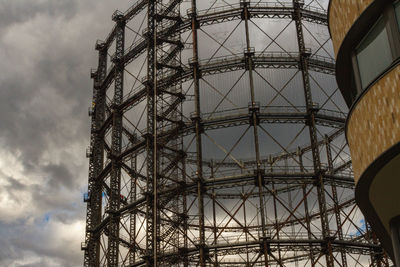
x: 217, y: 138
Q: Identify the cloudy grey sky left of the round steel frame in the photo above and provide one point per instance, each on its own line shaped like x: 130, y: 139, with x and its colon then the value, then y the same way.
x: 46, y: 52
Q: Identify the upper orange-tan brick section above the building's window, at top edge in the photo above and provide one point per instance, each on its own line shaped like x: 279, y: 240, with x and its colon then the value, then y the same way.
x: 345, y: 11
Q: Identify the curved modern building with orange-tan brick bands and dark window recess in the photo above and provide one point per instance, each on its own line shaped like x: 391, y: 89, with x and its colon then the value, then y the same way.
x: 366, y: 39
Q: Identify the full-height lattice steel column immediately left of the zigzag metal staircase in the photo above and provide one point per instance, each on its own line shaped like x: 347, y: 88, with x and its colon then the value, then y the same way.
x: 151, y: 135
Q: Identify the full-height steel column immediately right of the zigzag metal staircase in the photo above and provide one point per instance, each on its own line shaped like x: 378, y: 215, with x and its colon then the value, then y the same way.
x: 198, y: 132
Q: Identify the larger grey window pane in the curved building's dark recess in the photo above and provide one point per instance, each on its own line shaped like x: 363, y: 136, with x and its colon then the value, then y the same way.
x: 373, y: 54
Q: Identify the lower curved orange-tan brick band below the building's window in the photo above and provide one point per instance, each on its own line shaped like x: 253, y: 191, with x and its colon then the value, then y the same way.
x: 374, y: 126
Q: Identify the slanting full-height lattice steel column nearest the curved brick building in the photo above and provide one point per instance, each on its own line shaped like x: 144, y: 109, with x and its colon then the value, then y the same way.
x: 304, y: 55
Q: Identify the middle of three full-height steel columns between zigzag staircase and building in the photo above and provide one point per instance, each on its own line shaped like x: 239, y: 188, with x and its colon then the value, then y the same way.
x: 254, y: 120
